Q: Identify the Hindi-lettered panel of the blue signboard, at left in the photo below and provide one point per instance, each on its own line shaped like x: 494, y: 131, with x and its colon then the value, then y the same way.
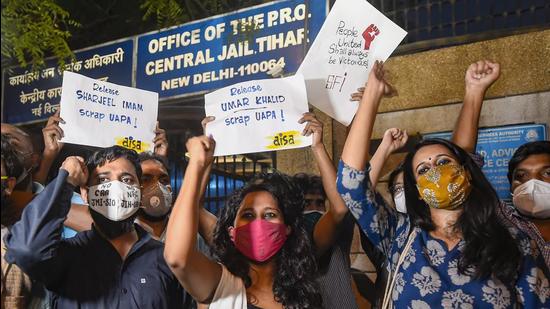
x: 34, y: 96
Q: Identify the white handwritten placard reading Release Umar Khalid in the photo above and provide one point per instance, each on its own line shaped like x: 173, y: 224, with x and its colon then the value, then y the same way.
x: 258, y: 115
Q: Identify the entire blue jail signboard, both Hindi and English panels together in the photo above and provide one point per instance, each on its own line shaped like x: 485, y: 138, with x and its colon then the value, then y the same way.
x: 185, y: 60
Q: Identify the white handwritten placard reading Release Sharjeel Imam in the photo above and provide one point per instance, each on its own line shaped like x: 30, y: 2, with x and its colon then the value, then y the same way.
x: 103, y: 114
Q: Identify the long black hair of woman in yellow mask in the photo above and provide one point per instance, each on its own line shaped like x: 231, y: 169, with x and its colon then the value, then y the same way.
x: 489, y: 247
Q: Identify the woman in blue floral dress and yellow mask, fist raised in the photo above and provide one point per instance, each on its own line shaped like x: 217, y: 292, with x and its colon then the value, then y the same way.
x: 457, y: 252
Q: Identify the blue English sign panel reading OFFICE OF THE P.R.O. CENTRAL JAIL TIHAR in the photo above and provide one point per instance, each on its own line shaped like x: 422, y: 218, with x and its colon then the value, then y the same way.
x: 227, y: 49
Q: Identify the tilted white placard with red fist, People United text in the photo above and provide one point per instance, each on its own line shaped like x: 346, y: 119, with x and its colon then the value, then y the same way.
x: 353, y: 36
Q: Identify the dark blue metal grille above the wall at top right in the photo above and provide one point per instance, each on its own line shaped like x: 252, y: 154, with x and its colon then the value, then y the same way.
x: 437, y: 23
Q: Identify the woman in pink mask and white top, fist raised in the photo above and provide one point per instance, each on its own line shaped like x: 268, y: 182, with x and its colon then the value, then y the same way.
x: 264, y: 255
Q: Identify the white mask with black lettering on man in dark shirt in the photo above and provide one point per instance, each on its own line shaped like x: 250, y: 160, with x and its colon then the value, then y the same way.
x: 114, y: 200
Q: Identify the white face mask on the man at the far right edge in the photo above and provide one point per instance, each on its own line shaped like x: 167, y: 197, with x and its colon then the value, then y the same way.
x: 532, y: 199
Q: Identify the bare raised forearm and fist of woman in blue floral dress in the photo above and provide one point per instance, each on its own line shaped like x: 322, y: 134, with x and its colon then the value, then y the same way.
x: 356, y: 148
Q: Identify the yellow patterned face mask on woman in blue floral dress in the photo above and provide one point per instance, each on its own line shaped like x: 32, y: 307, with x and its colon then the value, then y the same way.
x: 444, y: 186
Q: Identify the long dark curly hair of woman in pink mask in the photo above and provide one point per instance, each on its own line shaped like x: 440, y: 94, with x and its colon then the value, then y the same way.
x: 294, y: 283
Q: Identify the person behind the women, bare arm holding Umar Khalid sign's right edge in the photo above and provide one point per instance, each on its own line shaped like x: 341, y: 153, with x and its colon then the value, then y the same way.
x: 328, y: 222
